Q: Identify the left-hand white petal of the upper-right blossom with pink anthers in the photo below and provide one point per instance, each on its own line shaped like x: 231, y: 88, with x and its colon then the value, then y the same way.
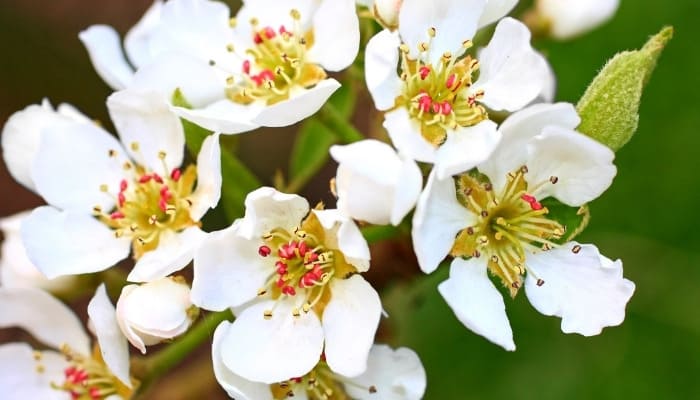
x: 381, y: 60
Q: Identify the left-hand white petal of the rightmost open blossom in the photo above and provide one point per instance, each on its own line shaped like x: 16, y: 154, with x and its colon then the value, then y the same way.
x: 438, y: 219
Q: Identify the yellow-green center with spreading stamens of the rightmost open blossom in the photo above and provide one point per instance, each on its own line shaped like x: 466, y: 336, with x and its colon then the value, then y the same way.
x: 509, y: 225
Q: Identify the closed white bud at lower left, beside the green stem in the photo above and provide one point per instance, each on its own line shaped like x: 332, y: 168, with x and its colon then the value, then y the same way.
x: 153, y: 312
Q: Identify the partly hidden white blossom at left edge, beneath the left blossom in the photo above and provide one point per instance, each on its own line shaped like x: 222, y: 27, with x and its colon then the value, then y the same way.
x: 15, y: 268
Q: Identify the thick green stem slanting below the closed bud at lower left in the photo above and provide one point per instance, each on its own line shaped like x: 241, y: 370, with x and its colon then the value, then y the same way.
x: 149, y: 369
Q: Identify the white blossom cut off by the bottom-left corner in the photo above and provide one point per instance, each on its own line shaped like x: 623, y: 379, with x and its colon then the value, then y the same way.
x: 72, y: 373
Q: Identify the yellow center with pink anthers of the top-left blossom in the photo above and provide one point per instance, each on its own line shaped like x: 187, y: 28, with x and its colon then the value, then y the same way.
x: 275, y: 65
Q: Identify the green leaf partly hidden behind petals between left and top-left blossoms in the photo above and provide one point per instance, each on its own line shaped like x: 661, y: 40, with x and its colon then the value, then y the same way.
x: 237, y: 179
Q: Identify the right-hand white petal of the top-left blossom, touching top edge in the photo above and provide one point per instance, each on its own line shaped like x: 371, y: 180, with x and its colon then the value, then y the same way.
x: 336, y: 35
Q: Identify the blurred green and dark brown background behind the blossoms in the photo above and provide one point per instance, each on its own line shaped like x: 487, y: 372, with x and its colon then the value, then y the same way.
x: 648, y: 218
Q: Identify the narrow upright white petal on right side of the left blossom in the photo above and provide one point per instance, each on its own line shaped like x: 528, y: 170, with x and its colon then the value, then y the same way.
x: 208, y: 191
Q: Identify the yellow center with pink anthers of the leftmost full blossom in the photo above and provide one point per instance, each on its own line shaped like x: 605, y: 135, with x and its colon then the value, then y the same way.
x: 149, y: 203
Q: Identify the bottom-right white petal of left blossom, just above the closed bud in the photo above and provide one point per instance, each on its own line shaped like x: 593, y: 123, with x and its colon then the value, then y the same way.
x: 174, y: 252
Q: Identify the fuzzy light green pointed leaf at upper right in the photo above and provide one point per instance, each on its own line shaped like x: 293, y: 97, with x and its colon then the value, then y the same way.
x: 609, y: 109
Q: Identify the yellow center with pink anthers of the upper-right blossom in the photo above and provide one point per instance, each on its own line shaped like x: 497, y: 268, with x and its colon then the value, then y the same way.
x: 440, y: 96
